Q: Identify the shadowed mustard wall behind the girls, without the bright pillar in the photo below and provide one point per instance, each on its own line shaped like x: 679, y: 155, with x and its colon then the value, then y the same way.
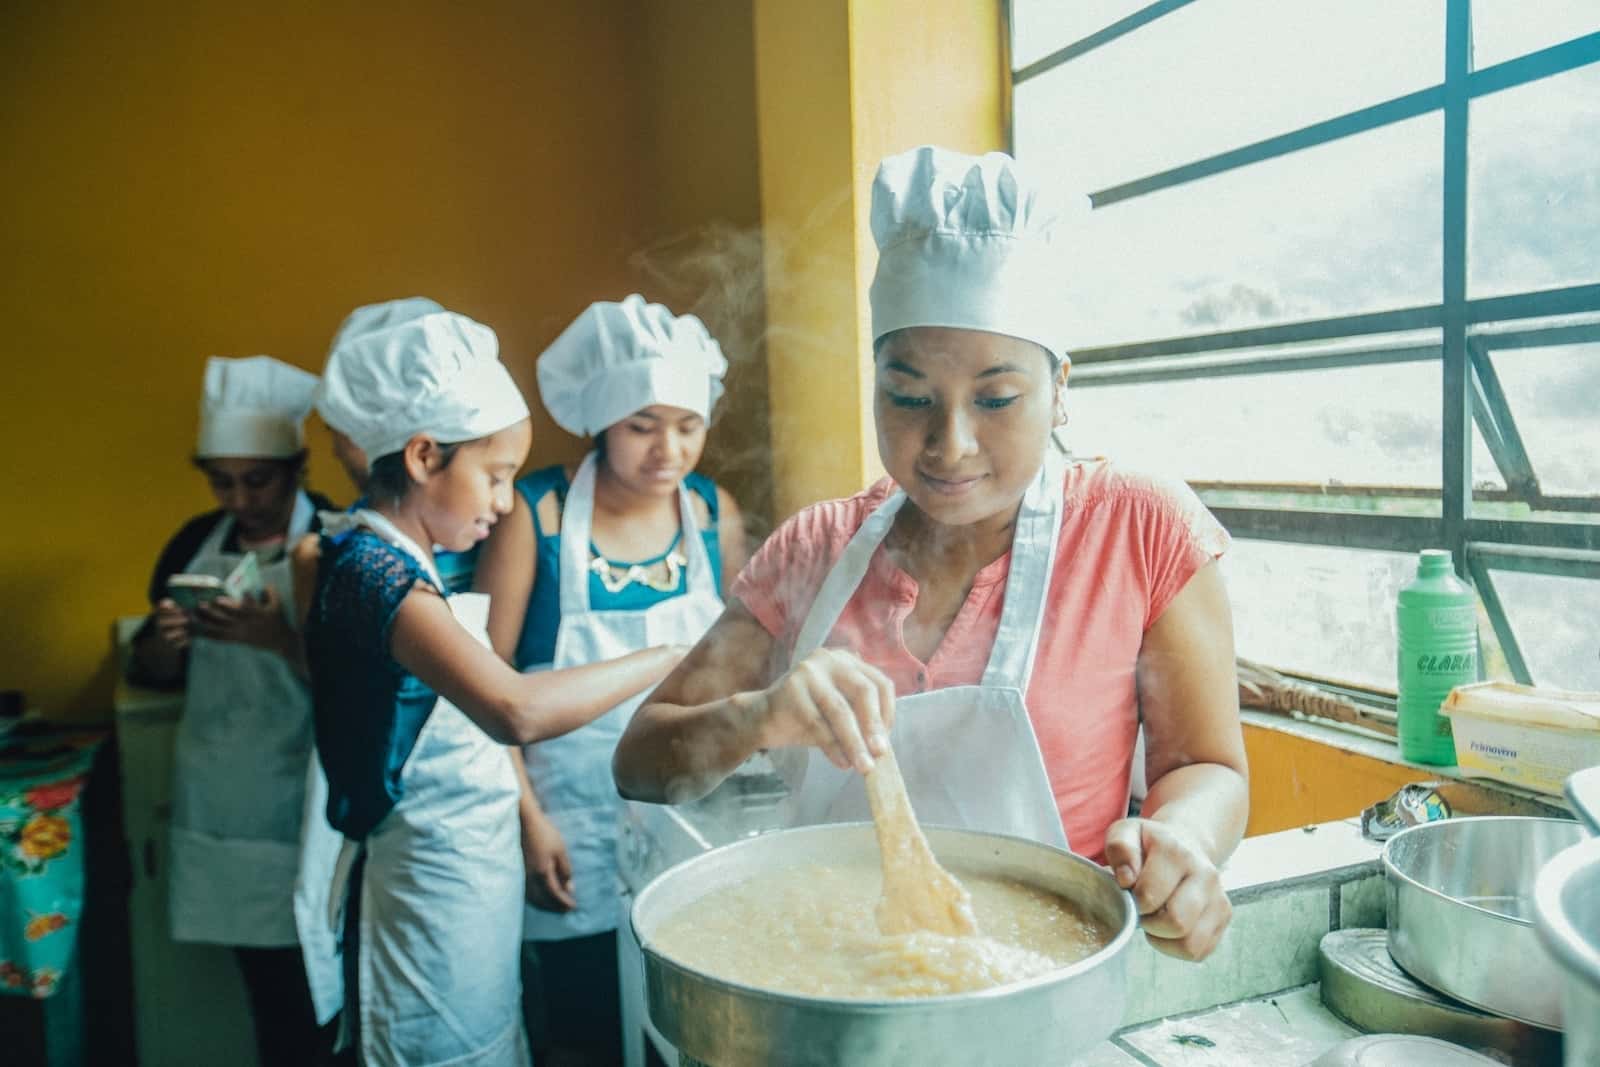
x: 191, y: 178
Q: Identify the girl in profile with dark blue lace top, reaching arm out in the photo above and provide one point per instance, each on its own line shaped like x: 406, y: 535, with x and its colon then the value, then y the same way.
x: 414, y: 711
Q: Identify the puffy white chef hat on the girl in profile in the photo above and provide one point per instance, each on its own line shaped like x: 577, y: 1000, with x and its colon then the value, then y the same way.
x: 438, y: 374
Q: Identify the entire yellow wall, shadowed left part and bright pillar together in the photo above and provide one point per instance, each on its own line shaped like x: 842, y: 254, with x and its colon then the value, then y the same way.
x: 198, y: 180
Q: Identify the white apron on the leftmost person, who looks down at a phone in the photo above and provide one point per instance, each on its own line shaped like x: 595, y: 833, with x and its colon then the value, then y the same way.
x: 239, y: 775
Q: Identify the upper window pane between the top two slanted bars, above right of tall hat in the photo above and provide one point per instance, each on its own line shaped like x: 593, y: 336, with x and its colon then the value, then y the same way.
x: 1223, y: 74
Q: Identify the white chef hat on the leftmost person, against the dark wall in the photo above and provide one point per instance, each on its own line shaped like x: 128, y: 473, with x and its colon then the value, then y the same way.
x: 254, y: 407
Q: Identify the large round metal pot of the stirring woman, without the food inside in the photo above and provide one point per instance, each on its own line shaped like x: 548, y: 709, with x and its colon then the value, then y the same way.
x: 1047, y: 1020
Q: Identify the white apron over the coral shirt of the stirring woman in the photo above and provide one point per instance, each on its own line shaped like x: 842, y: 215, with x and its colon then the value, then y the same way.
x: 969, y: 754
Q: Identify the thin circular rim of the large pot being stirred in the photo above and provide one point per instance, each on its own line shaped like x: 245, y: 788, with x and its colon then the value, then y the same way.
x: 1130, y: 924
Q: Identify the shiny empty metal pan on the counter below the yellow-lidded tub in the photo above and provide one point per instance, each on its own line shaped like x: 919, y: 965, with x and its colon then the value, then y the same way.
x: 1462, y: 911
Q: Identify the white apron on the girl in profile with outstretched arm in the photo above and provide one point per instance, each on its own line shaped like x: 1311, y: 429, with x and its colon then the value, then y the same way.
x: 439, y: 964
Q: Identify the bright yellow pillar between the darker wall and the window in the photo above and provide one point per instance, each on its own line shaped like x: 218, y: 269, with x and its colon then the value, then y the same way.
x: 842, y: 86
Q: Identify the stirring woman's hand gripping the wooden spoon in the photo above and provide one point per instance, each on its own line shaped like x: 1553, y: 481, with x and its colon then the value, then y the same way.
x: 834, y: 701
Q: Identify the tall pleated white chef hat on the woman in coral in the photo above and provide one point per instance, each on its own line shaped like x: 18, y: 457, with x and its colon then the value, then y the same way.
x: 967, y: 242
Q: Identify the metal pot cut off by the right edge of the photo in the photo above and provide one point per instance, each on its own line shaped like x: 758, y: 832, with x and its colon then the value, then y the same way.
x: 1567, y: 901
